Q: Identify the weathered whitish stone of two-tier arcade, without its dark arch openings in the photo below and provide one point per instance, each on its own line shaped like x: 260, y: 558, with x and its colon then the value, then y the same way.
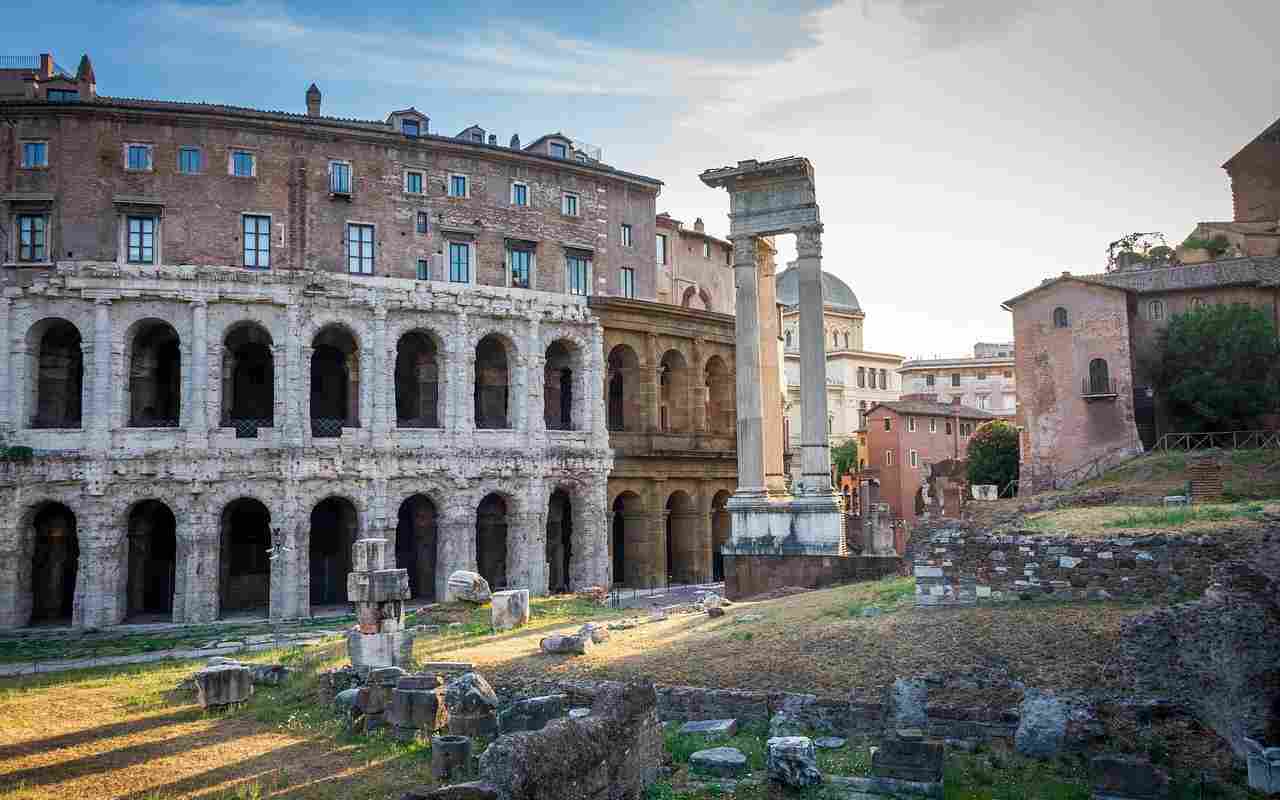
x: 104, y: 469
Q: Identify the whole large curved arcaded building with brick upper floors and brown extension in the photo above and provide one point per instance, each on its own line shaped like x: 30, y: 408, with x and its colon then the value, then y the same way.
x: 230, y: 332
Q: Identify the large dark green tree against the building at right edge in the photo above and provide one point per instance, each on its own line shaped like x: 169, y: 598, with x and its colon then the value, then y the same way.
x: 1217, y: 368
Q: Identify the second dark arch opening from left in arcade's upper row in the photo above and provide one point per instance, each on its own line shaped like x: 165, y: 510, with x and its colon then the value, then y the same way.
x: 154, y: 374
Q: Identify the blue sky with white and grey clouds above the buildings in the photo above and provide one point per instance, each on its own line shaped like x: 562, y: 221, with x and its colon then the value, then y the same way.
x: 963, y: 149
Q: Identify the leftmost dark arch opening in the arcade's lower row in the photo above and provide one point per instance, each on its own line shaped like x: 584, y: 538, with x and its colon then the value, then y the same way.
x: 51, y: 584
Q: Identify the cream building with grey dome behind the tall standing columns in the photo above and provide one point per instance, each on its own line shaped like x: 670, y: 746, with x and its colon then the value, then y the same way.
x: 857, y: 380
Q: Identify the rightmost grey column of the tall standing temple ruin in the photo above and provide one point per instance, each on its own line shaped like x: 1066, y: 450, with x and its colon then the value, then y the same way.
x: 816, y: 456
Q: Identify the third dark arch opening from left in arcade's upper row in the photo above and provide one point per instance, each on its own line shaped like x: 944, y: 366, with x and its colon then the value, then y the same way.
x: 248, y: 380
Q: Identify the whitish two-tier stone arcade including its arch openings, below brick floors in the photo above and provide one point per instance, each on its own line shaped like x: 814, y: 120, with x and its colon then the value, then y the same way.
x: 173, y: 473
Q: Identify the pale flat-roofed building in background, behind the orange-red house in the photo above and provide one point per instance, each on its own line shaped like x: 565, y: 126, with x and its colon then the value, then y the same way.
x: 985, y: 381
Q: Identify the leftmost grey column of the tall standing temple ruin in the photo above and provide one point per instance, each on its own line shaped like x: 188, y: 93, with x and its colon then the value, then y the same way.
x: 747, y: 356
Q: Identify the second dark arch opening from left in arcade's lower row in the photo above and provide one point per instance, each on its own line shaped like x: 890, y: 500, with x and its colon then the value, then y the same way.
x: 150, y: 563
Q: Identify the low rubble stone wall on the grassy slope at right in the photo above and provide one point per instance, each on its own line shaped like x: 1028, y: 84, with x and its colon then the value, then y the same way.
x: 959, y: 568
